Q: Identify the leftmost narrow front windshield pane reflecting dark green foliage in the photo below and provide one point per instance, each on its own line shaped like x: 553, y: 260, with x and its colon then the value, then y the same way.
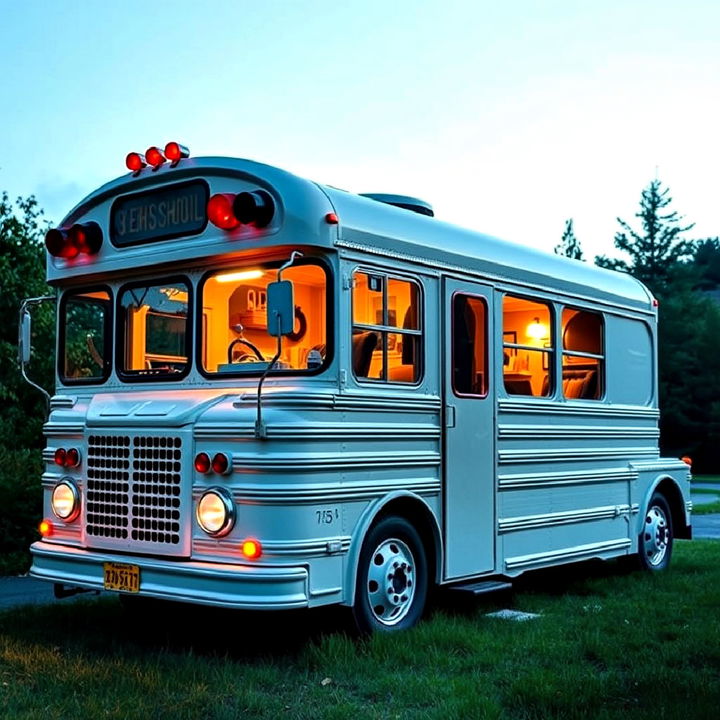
x: 85, y: 337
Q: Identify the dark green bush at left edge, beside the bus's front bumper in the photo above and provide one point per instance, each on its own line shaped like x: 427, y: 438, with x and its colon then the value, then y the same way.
x: 20, y: 507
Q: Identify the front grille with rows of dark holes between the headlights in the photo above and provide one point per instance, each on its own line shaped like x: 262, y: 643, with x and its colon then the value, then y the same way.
x: 133, y: 489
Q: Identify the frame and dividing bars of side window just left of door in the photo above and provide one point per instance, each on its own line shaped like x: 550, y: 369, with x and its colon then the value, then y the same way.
x: 385, y: 330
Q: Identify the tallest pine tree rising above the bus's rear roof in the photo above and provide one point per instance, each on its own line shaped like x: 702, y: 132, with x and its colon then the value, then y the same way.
x: 656, y: 250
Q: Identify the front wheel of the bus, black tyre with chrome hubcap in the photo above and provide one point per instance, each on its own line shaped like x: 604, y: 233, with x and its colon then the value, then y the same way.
x: 392, y: 578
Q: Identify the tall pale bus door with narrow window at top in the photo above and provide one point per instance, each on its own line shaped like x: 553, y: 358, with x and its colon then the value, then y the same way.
x: 469, y: 447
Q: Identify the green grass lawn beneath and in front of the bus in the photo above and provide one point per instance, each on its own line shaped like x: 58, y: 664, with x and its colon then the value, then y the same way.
x: 608, y: 644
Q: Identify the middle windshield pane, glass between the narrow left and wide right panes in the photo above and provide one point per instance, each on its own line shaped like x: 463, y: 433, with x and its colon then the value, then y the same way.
x: 155, y: 331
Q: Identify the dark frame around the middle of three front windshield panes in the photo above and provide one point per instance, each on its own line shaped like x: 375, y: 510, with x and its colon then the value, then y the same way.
x: 133, y: 376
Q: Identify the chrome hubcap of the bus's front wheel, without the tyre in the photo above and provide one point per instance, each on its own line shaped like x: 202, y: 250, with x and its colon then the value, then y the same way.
x: 391, y: 582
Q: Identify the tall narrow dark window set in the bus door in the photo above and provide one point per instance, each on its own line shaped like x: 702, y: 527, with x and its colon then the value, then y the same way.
x: 469, y: 345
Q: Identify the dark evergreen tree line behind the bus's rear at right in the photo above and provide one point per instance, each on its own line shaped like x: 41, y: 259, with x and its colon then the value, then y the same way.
x: 684, y: 276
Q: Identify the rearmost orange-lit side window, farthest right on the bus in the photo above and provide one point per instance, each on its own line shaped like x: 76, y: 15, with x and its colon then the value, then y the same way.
x: 583, y: 354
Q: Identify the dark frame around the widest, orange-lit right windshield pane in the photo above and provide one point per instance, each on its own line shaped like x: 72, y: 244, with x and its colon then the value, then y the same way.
x: 274, y: 263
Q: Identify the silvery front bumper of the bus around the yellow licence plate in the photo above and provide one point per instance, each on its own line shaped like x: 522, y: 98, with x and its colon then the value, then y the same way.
x: 247, y: 587
